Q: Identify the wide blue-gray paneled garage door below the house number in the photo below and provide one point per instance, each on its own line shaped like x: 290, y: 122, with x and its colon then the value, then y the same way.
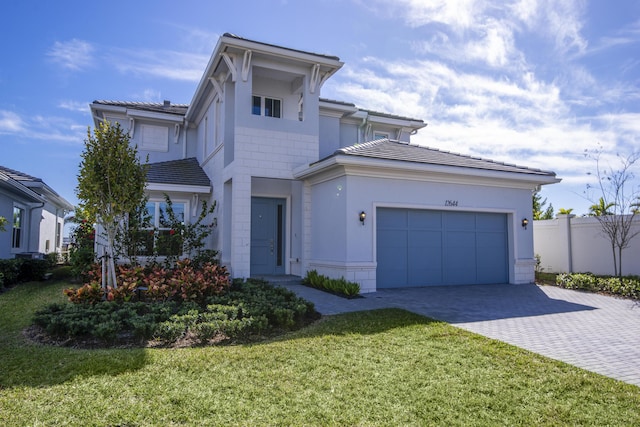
x: 424, y: 248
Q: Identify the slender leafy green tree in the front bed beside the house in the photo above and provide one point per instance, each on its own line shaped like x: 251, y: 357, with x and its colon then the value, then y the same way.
x: 111, y: 184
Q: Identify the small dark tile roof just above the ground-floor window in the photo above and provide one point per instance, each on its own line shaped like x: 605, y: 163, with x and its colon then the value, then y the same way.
x: 178, y: 172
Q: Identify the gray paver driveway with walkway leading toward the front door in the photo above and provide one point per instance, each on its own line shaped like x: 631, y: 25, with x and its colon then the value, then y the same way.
x: 594, y: 332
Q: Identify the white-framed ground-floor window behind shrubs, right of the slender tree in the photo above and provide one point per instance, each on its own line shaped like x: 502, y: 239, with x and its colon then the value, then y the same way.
x: 163, y: 239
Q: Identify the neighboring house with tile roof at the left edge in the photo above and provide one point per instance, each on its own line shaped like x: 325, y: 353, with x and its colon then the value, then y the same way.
x: 35, y: 215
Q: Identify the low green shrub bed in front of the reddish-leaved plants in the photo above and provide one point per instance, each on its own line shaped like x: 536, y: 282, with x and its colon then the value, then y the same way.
x: 238, y: 312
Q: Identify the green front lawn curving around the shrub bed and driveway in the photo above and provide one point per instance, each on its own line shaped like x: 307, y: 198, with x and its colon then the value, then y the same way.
x: 387, y: 367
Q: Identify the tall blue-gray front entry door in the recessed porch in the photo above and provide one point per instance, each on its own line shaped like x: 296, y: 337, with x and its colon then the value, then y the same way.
x: 267, y: 236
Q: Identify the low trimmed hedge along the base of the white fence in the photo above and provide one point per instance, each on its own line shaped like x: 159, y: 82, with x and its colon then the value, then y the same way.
x: 628, y: 286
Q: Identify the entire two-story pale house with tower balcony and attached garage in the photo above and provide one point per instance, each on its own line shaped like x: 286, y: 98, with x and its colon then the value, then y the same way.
x: 307, y: 183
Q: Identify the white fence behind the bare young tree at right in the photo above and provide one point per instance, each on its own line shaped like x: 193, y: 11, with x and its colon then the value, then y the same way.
x: 570, y: 244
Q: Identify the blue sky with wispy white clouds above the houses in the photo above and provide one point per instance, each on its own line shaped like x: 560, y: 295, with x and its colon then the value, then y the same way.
x: 531, y: 82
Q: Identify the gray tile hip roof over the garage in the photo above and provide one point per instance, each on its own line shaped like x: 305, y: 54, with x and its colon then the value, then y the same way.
x: 394, y: 150
